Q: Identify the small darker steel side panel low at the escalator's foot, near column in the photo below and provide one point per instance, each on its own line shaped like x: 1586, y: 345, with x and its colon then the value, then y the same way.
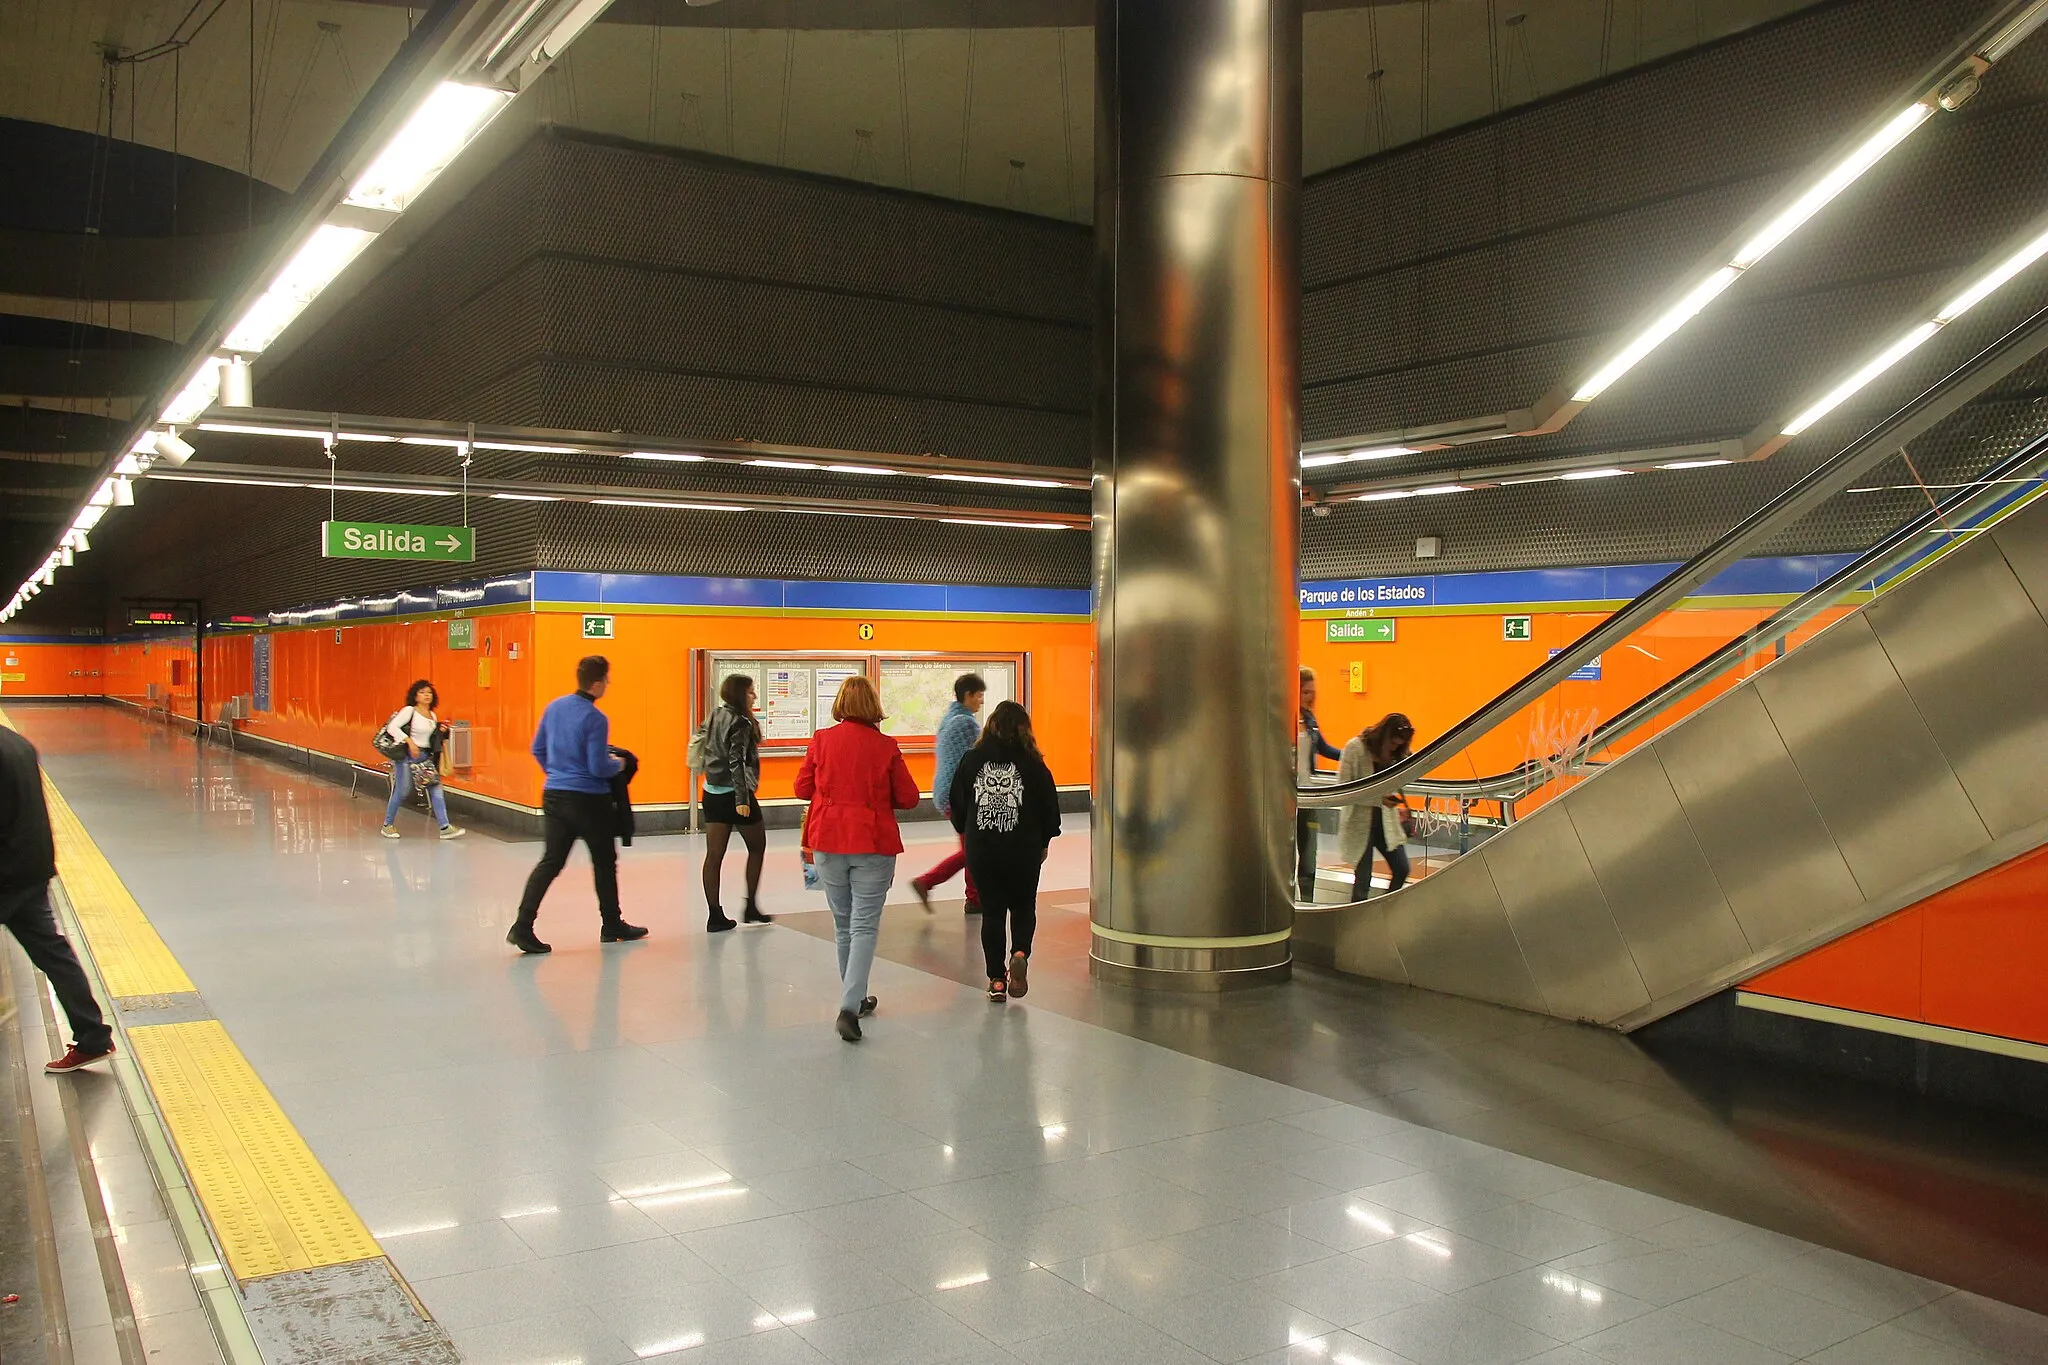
x: 1461, y: 940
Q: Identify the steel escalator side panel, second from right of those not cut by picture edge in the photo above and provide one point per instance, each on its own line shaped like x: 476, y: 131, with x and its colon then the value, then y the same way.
x: 1748, y: 807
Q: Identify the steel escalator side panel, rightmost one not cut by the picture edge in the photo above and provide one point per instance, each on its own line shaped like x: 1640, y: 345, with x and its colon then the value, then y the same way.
x: 1881, y: 783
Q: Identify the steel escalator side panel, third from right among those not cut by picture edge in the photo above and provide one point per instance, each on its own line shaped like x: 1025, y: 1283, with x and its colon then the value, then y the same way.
x: 1666, y: 899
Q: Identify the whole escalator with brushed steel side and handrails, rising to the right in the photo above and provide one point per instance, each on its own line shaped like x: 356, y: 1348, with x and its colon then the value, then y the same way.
x: 1895, y: 750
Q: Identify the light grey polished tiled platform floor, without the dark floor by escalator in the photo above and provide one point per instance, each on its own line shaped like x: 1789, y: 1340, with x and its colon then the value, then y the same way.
x: 663, y: 1151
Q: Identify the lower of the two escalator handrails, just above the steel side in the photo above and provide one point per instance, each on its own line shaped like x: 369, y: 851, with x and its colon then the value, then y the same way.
x: 1873, y: 564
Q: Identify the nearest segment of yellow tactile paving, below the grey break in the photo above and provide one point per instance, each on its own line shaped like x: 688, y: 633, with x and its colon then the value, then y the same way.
x: 269, y: 1200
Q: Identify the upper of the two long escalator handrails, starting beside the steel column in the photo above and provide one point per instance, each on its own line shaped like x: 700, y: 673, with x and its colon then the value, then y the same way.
x: 1908, y: 425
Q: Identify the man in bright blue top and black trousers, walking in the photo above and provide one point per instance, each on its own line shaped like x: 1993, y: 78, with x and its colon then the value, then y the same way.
x: 574, y: 748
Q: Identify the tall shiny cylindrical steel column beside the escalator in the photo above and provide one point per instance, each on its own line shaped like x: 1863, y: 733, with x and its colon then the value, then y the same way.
x: 1197, y: 488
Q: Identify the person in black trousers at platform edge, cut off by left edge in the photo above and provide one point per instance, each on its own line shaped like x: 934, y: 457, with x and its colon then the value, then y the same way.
x: 28, y: 863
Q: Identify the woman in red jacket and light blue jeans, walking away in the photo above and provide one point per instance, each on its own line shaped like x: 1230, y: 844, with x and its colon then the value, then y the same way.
x: 855, y: 781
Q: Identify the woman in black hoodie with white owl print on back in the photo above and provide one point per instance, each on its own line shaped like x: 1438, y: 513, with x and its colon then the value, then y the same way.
x: 1007, y: 809
